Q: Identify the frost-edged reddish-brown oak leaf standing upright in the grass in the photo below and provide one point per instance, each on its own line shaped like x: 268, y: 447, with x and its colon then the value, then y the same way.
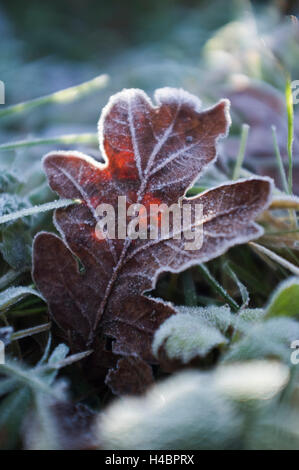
x: 96, y: 288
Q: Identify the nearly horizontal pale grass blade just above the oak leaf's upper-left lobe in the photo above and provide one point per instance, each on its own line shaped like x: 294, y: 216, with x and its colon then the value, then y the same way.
x: 67, y: 139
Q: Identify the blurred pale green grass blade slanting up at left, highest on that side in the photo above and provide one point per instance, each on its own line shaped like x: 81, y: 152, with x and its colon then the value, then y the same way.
x: 68, y: 95
